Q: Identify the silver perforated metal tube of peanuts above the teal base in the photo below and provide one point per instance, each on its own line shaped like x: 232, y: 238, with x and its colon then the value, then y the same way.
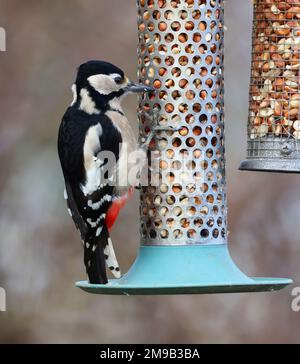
x: 181, y: 56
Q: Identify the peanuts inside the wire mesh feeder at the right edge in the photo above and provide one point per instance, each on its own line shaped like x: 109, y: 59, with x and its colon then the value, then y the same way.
x: 275, y: 87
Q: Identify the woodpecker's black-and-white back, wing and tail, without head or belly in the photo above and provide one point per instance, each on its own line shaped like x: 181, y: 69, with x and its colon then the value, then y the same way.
x: 89, y: 194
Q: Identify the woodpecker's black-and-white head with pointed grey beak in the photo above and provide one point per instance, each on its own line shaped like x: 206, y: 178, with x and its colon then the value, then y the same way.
x: 99, y: 84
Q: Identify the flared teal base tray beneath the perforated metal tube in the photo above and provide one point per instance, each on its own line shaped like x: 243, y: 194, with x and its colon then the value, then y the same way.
x: 195, y: 269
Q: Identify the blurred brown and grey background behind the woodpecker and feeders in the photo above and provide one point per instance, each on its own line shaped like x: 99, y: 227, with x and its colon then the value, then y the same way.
x: 40, y: 251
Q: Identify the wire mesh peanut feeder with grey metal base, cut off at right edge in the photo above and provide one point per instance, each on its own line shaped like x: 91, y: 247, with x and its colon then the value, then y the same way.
x: 274, y: 112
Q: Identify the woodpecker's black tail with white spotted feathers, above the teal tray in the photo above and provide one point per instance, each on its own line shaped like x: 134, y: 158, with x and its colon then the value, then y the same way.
x: 97, y: 252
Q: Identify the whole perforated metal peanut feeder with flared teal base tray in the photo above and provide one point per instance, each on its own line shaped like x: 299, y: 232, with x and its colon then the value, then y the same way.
x: 183, y: 212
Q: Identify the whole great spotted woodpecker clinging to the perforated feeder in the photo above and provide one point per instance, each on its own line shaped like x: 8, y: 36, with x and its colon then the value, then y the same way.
x: 93, y: 125
